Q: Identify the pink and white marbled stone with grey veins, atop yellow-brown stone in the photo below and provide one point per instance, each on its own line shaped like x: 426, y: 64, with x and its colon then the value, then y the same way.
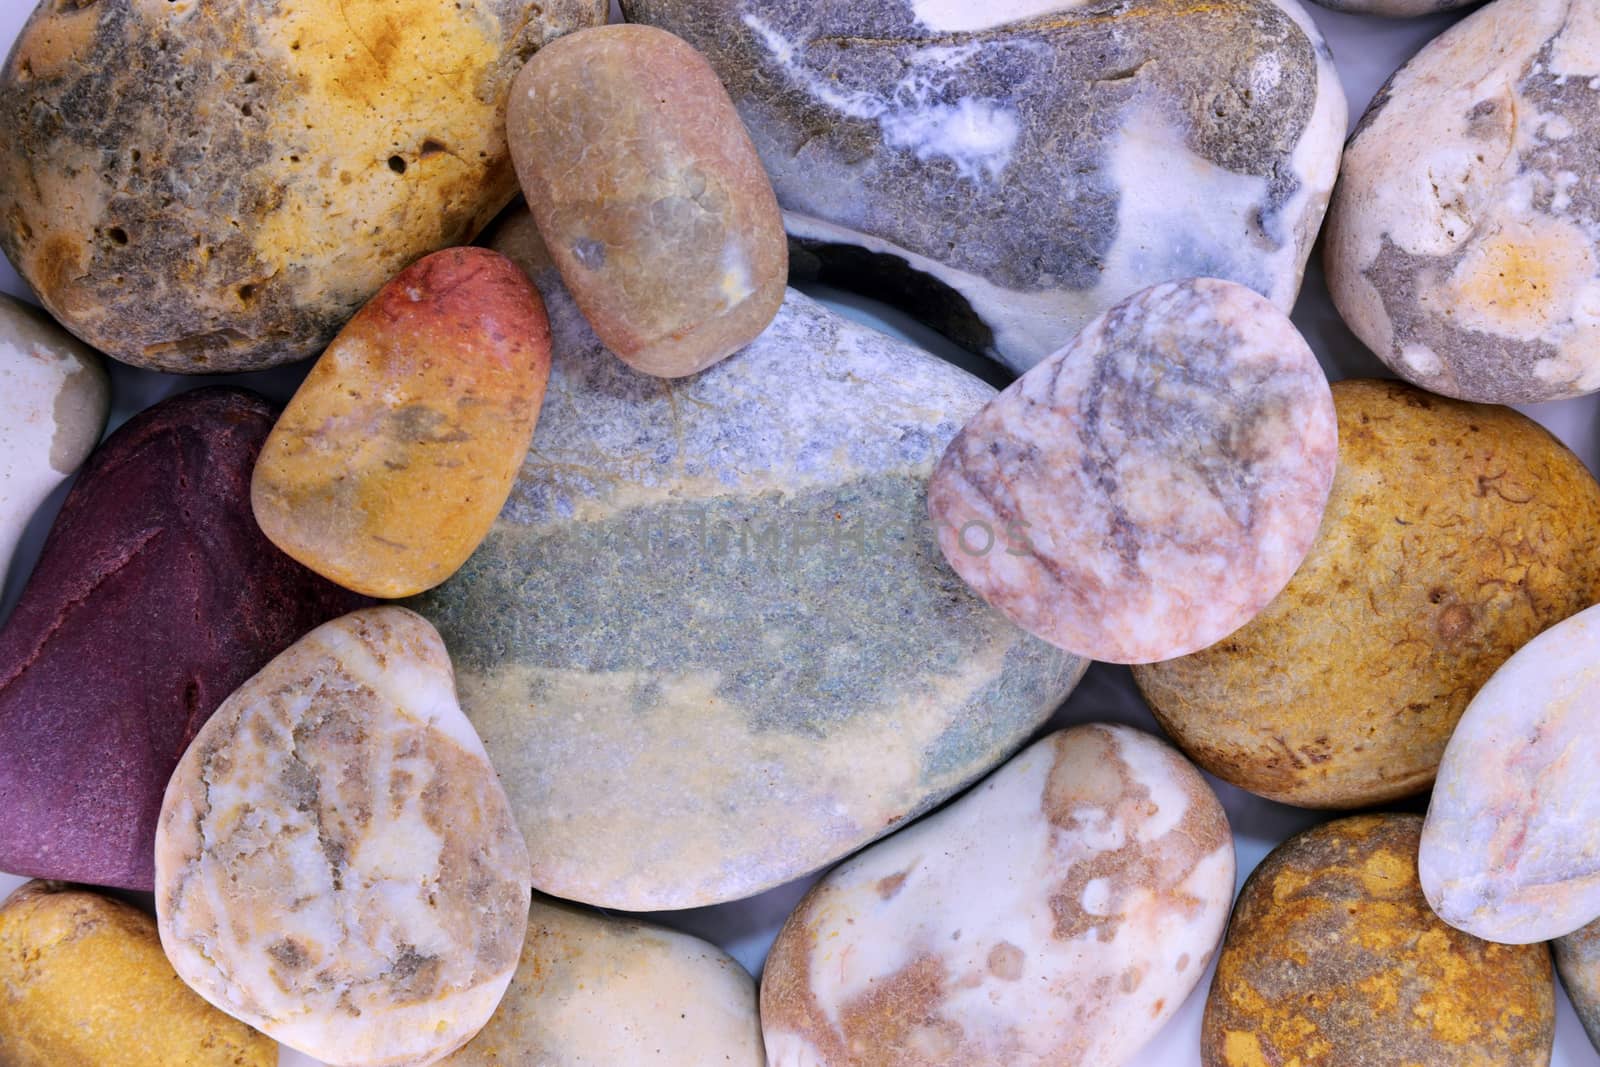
x: 1151, y: 487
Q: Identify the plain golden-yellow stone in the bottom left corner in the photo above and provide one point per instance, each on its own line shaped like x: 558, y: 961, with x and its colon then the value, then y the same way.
x: 84, y: 983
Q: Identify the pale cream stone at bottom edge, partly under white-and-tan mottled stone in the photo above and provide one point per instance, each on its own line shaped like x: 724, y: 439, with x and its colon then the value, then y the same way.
x: 594, y: 991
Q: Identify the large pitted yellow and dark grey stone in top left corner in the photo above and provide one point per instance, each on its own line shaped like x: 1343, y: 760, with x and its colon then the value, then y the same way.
x: 220, y: 185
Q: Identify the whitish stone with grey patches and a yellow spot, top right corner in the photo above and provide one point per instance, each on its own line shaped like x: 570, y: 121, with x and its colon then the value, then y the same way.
x: 1465, y: 238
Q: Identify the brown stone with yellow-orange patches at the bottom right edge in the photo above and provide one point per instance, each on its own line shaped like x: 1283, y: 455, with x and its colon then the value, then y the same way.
x: 1334, y: 959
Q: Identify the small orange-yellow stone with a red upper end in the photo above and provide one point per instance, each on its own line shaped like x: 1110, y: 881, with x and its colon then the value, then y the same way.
x: 401, y: 449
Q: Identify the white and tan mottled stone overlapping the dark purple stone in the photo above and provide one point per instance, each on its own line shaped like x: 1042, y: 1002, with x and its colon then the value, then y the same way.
x: 337, y: 863
